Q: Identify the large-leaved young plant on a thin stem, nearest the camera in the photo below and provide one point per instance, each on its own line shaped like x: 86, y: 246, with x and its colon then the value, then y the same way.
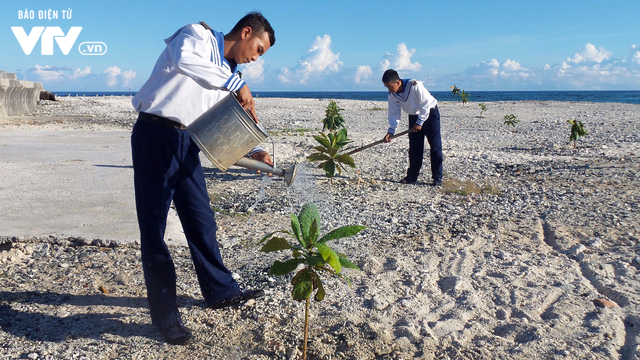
x: 311, y: 250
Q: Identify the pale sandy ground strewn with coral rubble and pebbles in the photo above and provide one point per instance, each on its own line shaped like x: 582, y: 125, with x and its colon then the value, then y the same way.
x: 529, y: 250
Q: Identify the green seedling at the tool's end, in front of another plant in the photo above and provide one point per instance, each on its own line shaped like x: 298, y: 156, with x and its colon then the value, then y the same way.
x: 328, y: 152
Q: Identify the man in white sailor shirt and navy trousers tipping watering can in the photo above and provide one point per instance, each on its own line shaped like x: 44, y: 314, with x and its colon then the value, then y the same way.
x: 196, y: 70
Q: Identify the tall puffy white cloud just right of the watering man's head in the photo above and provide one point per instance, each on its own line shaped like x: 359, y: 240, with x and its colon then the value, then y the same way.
x: 319, y: 60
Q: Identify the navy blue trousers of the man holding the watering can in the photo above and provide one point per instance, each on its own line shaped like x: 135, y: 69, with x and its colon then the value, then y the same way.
x: 167, y: 168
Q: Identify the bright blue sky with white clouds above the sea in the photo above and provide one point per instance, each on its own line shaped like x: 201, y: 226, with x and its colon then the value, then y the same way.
x: 345, y: 45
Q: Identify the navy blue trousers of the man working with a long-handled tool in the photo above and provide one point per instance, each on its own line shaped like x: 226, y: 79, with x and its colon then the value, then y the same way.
x: 430, y: 130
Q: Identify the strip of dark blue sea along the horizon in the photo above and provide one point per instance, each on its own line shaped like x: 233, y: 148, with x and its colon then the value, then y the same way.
x: 610, y: 96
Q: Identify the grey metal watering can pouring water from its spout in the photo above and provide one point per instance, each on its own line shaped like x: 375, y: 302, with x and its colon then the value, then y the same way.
x: 226, y: 132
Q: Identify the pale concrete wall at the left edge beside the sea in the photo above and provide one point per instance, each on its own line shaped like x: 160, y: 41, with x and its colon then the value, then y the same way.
x: 17, y: 97
